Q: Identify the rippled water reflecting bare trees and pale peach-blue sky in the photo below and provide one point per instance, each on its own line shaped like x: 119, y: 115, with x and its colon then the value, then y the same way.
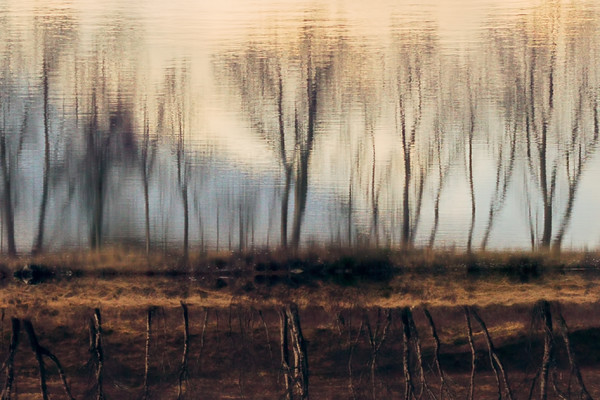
x: 232, y: 124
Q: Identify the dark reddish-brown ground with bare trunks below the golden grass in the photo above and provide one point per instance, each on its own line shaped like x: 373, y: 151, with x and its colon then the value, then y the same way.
x: 509, y: 352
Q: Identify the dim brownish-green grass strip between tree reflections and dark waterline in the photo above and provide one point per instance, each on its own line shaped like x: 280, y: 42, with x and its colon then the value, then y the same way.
x: 362, y: 261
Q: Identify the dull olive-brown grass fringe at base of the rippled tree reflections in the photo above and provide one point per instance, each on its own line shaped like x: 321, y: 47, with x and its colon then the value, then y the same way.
x: 135, y: 260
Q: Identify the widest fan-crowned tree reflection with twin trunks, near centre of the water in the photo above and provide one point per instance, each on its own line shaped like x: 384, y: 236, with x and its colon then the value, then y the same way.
x: 290, y: 83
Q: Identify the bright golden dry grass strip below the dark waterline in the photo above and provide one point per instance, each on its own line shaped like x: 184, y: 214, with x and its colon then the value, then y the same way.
x: 406, y: 290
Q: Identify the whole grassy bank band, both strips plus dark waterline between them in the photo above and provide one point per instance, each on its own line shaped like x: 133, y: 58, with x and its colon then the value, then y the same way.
x: 370, y: 278
